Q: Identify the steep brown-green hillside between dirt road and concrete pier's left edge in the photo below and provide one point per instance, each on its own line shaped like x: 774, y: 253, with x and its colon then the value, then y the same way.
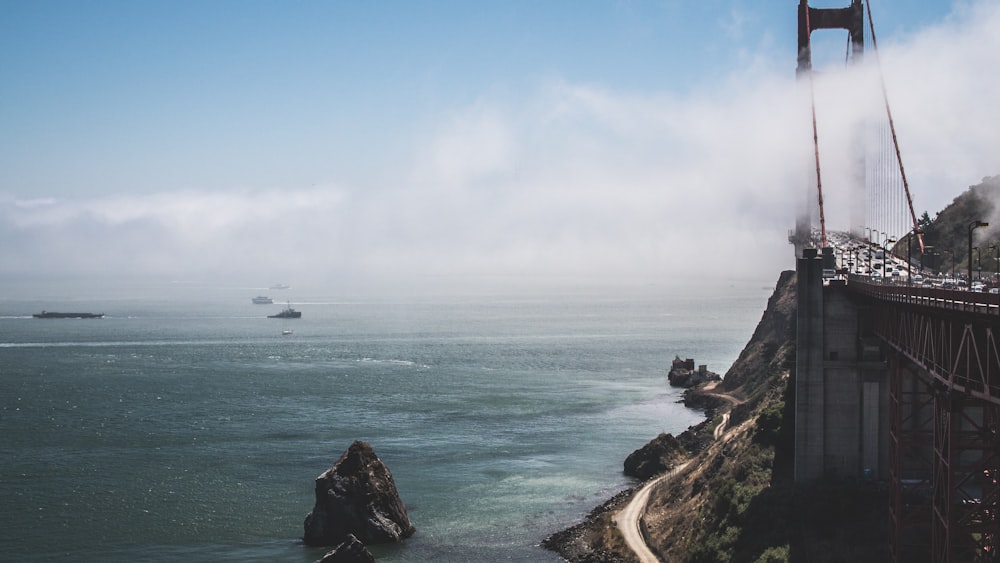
x: 713, y: 512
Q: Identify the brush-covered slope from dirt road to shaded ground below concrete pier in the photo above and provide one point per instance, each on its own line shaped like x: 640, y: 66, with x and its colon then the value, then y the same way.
x: 740, y: 503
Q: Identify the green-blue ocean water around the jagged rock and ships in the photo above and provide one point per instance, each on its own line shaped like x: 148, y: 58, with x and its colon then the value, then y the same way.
x: 187, y: 427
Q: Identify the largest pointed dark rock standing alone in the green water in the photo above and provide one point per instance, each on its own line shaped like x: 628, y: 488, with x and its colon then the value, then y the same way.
x: 357, y: 496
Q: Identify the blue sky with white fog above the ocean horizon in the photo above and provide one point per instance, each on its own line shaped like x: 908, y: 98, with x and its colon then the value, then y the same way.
x: 439, y: 139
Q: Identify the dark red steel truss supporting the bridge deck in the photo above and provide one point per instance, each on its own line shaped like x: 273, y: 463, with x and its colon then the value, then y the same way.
x: 945, y: 421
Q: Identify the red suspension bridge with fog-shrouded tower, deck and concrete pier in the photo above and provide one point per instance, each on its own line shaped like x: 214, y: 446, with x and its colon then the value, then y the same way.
x: 897, y: 383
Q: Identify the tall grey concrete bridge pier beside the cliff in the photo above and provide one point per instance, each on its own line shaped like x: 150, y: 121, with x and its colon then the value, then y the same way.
x: 841, y: 386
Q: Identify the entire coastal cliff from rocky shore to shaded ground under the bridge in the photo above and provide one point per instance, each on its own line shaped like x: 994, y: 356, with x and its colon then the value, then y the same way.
x: 735, y: 499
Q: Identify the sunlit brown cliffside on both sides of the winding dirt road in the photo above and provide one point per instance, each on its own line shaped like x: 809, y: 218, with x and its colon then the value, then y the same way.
x: 756, y: 382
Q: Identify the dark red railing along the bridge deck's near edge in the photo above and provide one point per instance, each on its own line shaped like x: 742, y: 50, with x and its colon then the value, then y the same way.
x: 953, y: 299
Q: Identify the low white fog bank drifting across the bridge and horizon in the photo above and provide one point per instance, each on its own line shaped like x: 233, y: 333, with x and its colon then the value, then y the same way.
x: 583, y: 182
